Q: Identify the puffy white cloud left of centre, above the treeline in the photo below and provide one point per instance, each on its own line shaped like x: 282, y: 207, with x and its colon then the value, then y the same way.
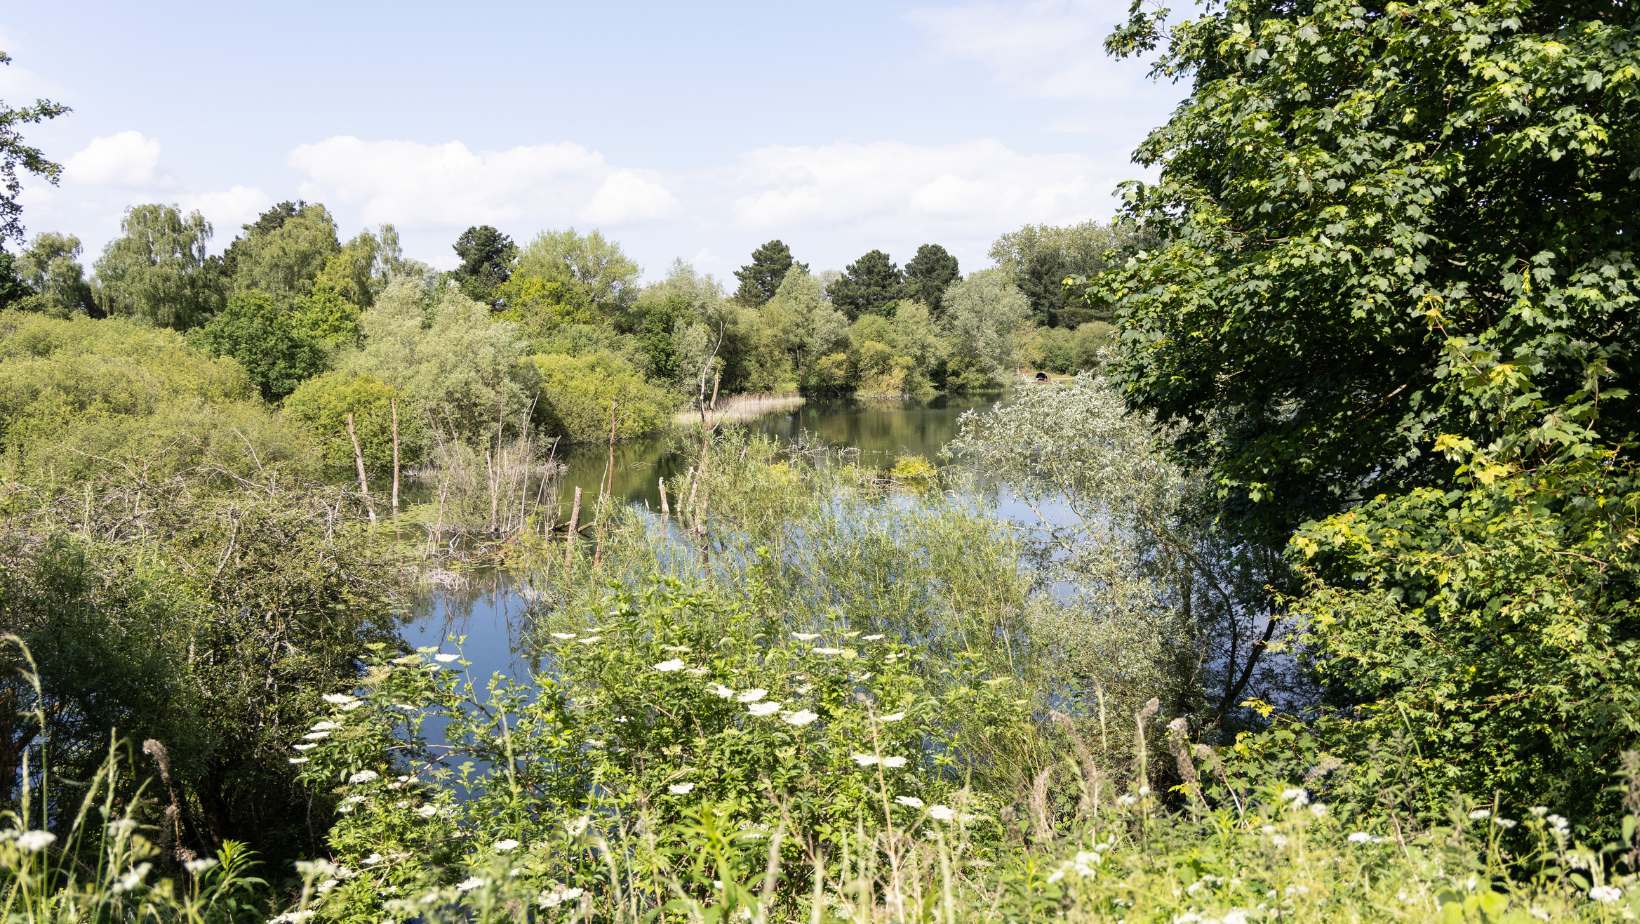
x: 445, y: 186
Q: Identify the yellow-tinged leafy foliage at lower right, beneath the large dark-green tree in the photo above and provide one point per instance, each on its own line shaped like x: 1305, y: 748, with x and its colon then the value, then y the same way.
x: 1490, y: 631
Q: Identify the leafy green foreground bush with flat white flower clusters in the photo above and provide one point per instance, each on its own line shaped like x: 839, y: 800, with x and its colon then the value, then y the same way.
x: 678, y: 748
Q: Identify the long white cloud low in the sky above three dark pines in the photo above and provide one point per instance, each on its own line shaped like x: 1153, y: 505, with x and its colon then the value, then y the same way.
x: 978, y: 188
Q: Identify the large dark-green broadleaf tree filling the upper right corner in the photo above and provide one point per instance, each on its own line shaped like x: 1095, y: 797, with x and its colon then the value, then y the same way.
x: 1342, y: 194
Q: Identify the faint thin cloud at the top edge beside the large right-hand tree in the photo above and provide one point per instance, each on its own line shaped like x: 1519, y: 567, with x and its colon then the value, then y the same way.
x: 1044, y: 48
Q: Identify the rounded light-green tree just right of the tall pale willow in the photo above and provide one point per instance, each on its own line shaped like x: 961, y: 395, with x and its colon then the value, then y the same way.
x: 285, y: 254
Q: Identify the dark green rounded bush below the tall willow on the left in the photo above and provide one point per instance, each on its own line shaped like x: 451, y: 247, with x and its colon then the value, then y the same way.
x: 266, y: 341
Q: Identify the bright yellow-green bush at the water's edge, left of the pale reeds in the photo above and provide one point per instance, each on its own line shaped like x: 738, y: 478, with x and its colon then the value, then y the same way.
x: 580, y: 393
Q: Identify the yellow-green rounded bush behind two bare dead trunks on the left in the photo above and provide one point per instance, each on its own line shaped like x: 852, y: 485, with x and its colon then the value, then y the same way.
x: 322, y: 406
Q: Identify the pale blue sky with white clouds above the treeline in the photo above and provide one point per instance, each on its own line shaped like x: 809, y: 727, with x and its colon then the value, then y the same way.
x: 681, y: 130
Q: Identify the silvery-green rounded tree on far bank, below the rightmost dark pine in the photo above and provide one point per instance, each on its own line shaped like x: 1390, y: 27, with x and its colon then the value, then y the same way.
x: 985, y: 316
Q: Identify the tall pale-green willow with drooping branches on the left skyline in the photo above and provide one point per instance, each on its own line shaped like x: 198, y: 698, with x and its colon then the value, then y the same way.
x: 158, y: 270
